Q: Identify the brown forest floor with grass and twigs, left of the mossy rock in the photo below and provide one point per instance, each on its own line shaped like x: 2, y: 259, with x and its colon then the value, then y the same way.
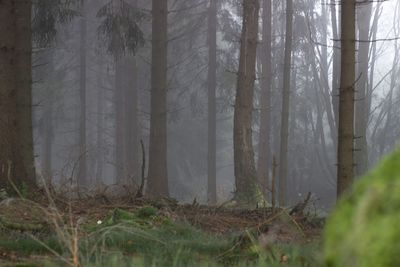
x: 121, y: 232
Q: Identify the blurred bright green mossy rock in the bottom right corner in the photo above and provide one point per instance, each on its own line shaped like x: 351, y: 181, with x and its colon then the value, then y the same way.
x: 364, y: 229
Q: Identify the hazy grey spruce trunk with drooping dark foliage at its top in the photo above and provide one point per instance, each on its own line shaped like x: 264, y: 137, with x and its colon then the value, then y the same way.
x: 121, y: 35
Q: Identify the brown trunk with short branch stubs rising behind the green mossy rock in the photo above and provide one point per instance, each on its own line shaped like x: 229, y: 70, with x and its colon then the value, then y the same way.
x: 346, y: 98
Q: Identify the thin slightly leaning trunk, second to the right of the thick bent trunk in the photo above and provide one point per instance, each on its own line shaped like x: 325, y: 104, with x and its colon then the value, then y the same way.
x: 285, y: 104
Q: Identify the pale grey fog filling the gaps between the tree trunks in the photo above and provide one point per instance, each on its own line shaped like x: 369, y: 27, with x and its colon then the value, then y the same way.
x: 92, y: 87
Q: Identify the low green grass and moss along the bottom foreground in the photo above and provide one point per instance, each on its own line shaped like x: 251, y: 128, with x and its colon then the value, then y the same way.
x: 146, y: 238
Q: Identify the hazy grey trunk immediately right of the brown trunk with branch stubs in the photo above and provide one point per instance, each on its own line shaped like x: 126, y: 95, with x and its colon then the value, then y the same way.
x: 364, y: 13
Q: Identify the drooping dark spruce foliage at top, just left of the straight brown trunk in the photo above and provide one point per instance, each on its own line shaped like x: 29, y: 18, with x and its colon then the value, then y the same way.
x: 119, y: 30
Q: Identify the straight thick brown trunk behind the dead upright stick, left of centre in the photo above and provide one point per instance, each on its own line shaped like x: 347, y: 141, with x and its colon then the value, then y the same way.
x: 157, y: 181
